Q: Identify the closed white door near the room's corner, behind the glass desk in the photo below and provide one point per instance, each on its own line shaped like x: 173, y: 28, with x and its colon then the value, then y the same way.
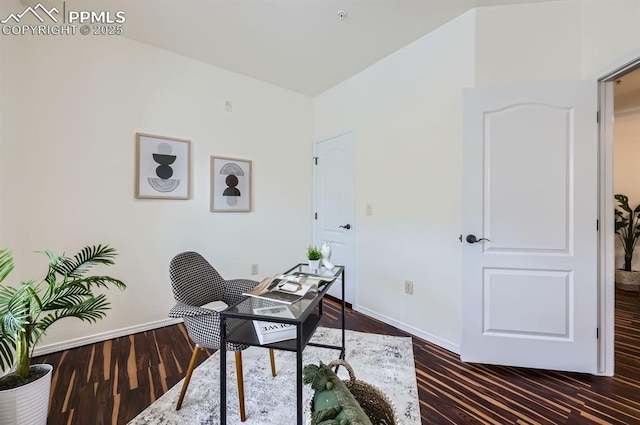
x: 334, y: 205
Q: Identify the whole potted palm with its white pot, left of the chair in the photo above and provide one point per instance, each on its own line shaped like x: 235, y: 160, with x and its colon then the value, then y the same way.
x: 27, y: 311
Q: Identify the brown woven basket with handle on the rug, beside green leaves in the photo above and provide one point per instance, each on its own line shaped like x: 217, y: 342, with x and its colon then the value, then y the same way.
x: 375, y: 404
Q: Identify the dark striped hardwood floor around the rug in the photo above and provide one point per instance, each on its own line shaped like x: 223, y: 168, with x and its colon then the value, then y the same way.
x: 112, y: 381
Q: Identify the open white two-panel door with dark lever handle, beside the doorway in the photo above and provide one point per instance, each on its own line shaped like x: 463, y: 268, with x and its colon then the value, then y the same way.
x: 530, y: 187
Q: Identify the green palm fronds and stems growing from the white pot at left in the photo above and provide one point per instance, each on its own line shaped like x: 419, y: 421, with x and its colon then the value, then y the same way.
x: 27, y: 311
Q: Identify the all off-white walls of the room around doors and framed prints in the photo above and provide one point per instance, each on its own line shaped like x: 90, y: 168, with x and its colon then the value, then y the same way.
x: 73, y: 106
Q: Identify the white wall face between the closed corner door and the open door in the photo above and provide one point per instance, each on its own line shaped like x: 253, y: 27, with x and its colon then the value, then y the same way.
x: 406, y: 112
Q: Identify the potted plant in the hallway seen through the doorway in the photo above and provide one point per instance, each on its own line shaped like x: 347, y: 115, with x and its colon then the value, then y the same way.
x: 628, y: 231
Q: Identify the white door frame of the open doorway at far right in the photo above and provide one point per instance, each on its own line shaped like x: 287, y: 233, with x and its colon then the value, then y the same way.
x: 606, y: 254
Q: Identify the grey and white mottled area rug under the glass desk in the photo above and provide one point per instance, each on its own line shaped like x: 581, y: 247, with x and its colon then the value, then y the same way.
x: 380, y: 360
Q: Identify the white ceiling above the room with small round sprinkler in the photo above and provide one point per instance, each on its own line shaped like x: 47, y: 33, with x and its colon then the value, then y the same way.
x: 301, y: 45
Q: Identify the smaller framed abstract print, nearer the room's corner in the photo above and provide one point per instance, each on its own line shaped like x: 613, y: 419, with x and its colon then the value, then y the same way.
x: 230, y: 184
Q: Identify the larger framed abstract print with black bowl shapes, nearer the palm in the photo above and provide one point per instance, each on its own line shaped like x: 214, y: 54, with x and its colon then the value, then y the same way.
x: 163, y: 167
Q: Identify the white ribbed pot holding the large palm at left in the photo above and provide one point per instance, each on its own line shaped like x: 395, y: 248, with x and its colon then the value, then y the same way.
x: 28, y: 404
